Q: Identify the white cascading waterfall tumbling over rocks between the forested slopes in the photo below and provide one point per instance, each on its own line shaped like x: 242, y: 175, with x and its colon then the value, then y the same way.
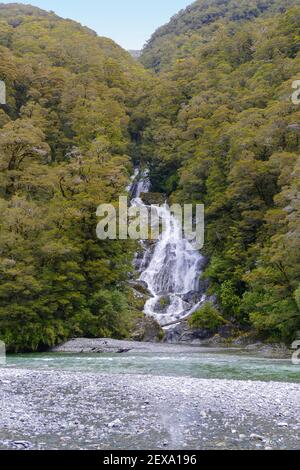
x: 172, y: 270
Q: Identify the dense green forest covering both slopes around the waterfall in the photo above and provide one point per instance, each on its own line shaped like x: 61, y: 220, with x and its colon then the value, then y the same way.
x: 208, y: 110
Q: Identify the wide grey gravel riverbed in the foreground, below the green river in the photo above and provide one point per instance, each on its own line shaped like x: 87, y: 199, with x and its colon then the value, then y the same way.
x: 72, y: 410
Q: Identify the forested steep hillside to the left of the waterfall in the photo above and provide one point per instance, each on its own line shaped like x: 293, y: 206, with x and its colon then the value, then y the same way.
x: 64, y: 149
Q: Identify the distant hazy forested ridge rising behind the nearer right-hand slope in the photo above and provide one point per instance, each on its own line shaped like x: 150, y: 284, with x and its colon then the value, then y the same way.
x: 198, y: 23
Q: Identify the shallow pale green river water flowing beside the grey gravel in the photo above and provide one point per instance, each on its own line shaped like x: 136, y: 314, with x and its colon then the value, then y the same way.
x: 208, y: 365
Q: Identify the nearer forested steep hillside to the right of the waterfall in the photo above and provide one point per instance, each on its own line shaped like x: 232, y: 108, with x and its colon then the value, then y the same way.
x: 221, y: 129
